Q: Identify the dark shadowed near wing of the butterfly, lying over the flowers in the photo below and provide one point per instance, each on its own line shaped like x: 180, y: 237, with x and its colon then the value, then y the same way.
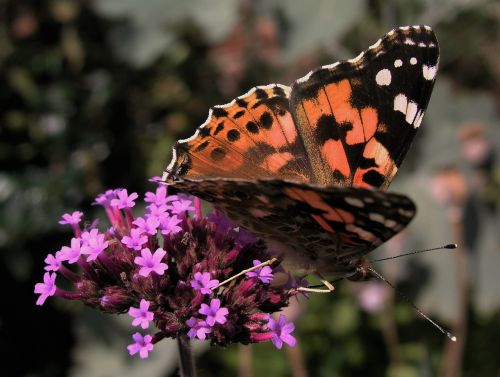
x: 320, y: 228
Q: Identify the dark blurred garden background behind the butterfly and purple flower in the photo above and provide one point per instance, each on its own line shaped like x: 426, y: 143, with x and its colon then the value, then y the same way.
x: 94, y: 93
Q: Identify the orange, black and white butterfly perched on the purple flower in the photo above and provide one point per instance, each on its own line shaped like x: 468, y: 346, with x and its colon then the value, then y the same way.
x: 306, y: 167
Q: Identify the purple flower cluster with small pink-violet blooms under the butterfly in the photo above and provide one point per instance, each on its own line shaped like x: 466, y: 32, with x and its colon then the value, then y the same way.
x: 166, y: 267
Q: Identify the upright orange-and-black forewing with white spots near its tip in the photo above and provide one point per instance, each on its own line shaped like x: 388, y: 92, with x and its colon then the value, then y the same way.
x: 358, y: 117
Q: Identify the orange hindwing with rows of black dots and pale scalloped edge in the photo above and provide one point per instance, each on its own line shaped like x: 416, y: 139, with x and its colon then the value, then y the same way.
x: 251, y: 137
